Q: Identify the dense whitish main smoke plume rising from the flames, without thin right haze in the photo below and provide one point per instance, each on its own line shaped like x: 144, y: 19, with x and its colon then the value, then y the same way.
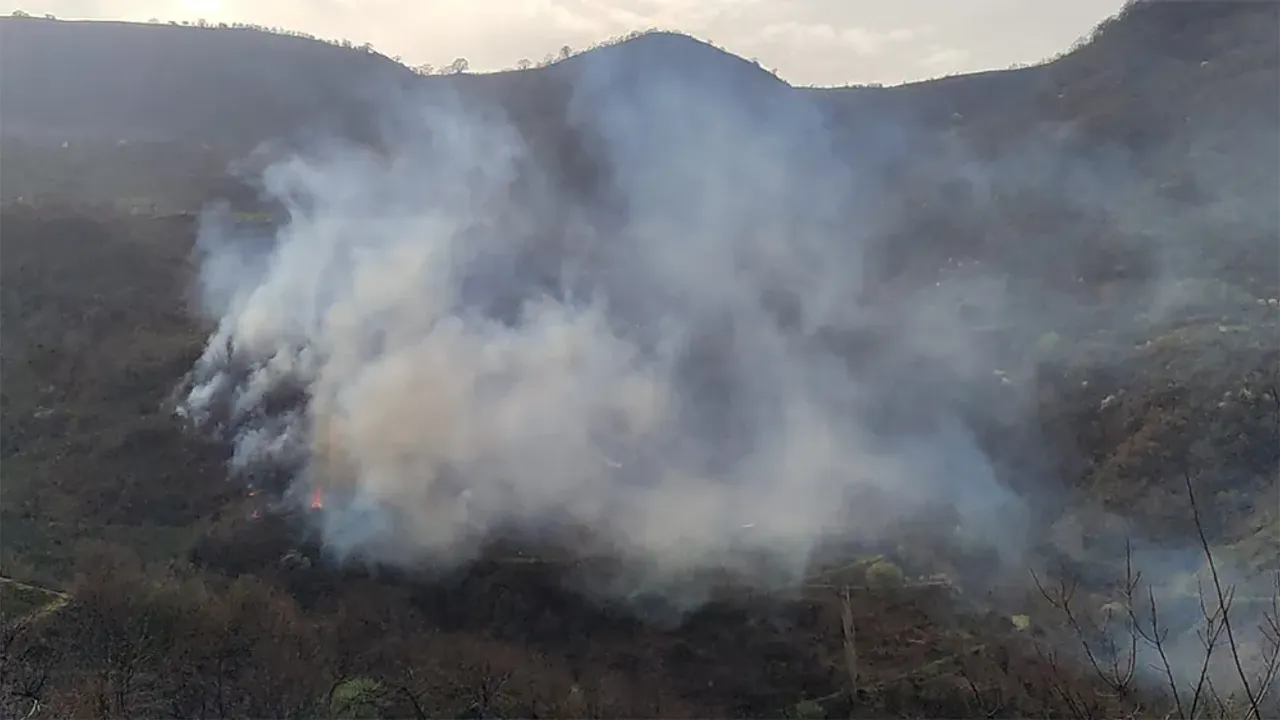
x: 454, y: 347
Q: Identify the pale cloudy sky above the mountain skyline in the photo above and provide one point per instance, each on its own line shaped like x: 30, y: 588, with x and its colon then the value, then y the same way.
x: 807, y: 42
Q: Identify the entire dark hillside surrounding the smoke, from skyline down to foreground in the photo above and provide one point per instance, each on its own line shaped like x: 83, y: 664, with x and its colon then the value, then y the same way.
x: 1054, y: 177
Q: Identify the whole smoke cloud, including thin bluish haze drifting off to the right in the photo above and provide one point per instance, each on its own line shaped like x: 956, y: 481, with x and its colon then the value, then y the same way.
x: 682, y: 353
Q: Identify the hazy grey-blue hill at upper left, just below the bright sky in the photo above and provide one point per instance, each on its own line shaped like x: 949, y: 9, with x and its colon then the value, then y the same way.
x: 154, y: 83
